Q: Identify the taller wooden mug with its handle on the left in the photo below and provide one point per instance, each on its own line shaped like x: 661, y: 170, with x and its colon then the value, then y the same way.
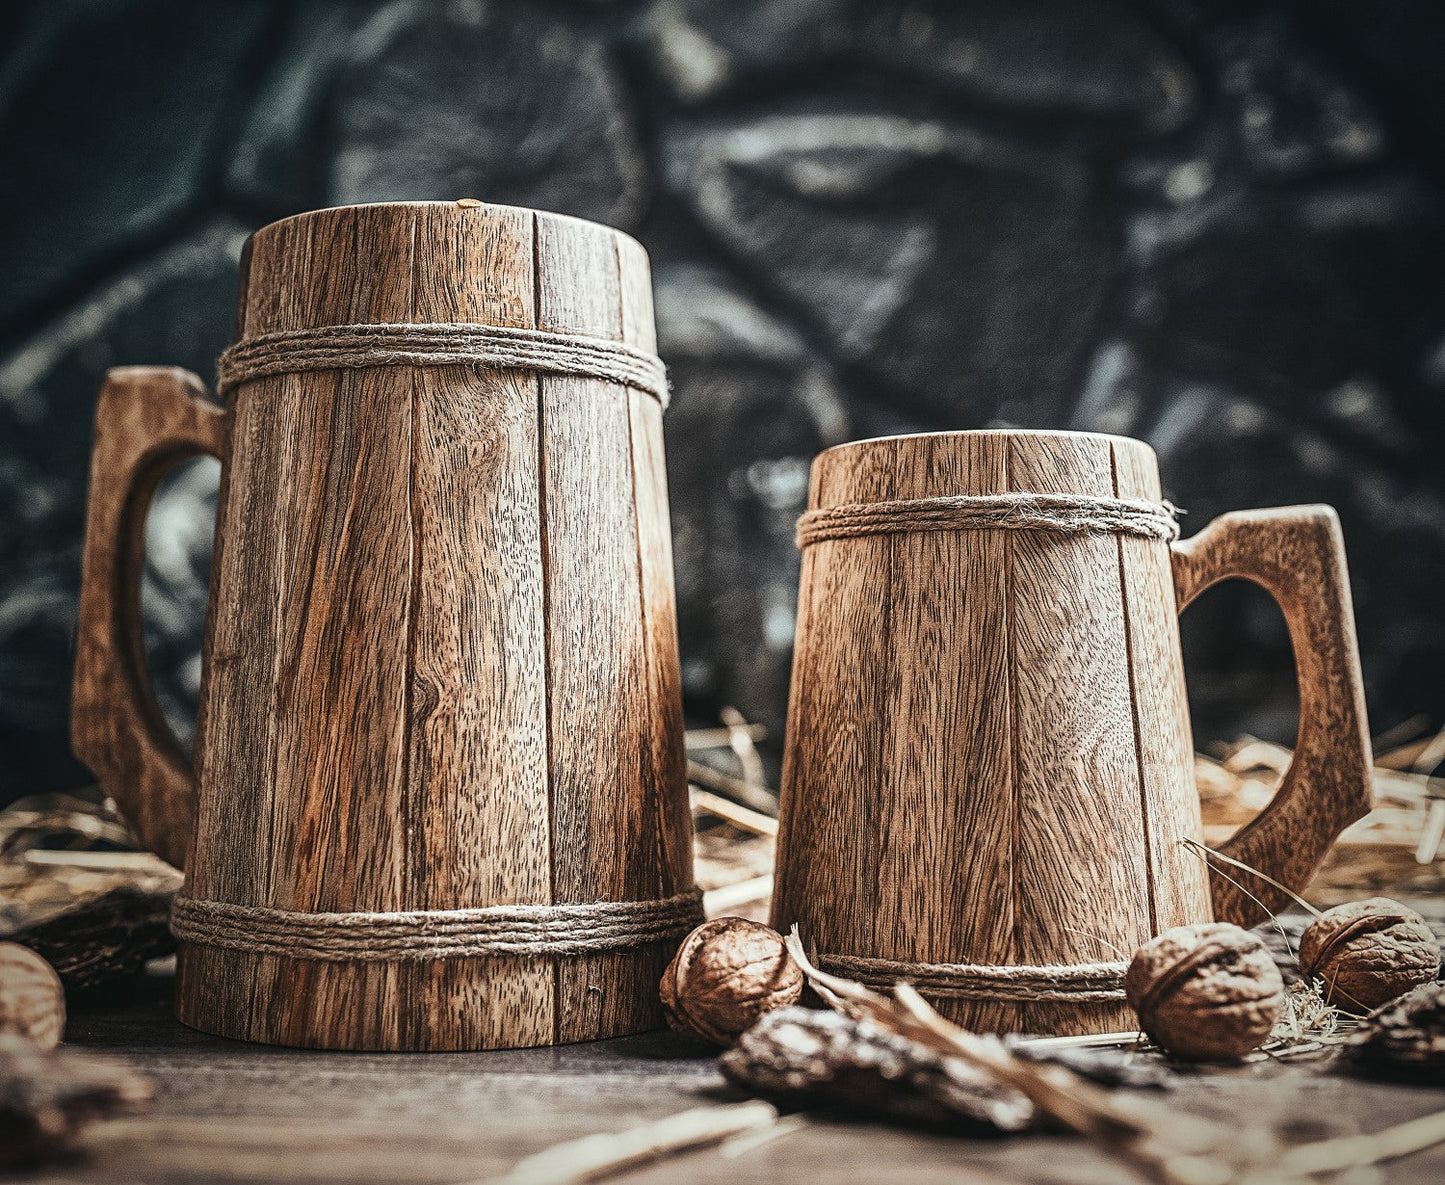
x: 439, y: 797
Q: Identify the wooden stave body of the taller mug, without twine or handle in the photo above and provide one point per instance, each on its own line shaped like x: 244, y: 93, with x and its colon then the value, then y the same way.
x: 434, y: 677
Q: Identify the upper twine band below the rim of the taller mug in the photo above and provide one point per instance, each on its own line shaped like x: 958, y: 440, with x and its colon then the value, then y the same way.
x: 352, y: 348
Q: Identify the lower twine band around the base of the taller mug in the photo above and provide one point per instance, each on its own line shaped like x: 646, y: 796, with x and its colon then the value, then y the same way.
x: 499, y: 930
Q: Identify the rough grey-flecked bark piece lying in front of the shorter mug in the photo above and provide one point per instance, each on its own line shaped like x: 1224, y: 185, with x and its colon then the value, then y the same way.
x: 806, y: 1059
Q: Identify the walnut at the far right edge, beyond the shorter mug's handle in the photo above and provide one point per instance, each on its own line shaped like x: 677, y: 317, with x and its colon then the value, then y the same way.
x: 1368, y: 953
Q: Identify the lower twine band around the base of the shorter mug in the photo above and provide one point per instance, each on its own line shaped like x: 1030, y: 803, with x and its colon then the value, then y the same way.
x: 1074, y: 983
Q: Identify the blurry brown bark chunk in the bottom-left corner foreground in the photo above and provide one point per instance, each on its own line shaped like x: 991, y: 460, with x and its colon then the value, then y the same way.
x: 50, y: 1096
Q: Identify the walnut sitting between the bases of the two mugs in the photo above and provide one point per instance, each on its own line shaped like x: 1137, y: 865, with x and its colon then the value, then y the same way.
x: 726, y: 975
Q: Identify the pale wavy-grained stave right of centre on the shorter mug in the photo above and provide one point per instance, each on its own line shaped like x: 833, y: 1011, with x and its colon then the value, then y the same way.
x: 1082, y: 878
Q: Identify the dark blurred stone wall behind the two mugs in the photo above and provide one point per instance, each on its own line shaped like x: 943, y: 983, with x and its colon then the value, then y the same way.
x: 1213, y: 226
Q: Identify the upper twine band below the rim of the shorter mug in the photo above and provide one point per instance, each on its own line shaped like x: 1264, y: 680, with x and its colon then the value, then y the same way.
x: 1063, y: 514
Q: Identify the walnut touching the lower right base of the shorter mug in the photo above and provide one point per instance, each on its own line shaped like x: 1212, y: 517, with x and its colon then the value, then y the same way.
x: 1209, y: 992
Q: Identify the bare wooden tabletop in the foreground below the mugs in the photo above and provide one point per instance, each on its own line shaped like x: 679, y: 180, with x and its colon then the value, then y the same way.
x: 235, y: 1112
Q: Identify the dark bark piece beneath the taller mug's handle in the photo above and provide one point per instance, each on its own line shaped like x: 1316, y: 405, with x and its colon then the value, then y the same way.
x: 103, y: 940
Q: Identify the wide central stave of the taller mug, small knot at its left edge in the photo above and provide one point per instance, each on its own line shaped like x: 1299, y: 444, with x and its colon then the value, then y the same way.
x: 479, y: 647
